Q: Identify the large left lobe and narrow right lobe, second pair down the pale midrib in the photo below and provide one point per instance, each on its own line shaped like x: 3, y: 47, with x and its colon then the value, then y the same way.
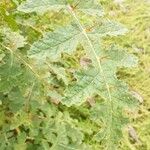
x: 66, y: 40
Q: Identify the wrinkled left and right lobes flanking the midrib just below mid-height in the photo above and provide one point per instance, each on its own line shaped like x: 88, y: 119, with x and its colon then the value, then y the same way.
x: 90, y: 82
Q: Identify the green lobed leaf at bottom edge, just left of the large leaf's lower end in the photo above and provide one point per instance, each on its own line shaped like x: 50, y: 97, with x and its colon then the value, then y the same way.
x: 62, y: 128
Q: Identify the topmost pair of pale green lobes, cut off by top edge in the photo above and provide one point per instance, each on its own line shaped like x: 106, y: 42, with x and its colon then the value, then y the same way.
x: 90, y: 7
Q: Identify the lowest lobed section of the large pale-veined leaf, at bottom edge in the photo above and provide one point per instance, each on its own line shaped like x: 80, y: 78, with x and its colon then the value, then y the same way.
x: 112, y: 125
